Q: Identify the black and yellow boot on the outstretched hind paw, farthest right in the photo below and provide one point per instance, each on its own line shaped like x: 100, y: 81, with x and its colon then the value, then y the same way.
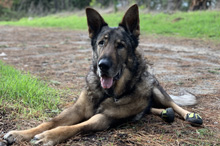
x: 194, y: 119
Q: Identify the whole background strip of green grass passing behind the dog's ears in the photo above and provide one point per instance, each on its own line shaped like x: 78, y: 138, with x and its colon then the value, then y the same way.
x: 200, y: 24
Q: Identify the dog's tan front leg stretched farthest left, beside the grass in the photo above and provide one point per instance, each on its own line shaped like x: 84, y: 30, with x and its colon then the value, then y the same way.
x: 79, y: 111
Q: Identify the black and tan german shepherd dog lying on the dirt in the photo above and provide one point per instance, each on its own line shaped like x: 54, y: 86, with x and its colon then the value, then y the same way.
x: 118, y: 86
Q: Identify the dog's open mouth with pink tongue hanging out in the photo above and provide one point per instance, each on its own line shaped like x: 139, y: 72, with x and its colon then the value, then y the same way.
x: 107, y: 82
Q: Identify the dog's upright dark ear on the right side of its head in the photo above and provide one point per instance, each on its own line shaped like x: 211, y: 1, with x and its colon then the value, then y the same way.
x: 130, y: 21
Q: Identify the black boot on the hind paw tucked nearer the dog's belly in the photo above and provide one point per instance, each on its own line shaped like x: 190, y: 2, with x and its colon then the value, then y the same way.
x: 168, y: 115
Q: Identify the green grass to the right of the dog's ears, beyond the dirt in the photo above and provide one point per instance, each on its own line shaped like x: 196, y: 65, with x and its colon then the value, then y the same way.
x: 201, y: 24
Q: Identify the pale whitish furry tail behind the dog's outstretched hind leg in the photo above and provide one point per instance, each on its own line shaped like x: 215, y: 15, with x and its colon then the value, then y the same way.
x: 184, y: 100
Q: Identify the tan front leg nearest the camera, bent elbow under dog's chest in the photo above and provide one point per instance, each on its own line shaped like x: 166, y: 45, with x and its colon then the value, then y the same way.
x: 51, y: 137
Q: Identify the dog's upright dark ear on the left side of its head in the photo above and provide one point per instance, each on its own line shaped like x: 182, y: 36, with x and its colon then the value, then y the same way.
x: 95, y: 22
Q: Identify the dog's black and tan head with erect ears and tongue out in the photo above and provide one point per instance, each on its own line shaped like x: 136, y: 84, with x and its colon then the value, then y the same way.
x: 113, y: 48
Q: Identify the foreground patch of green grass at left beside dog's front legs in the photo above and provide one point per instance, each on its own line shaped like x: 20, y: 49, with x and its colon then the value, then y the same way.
x: 25, y: 93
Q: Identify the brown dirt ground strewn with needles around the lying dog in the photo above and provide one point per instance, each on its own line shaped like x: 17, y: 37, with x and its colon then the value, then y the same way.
x: 62, y: 57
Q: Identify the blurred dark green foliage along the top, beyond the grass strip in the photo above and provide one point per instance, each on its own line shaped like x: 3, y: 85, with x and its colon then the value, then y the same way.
x: 44, y: 7
